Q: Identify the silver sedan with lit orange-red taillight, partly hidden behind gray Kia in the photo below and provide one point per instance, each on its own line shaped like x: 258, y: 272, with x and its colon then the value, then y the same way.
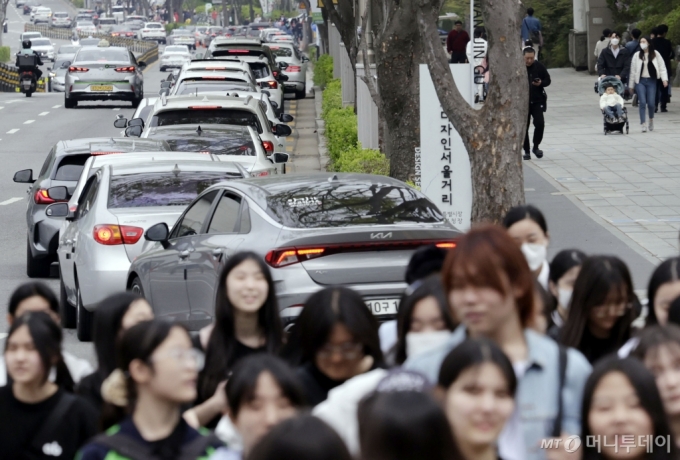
x: 118, y: 203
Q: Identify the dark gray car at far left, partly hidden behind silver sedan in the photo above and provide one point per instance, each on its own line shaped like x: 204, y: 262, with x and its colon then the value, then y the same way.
x: 62, y: 167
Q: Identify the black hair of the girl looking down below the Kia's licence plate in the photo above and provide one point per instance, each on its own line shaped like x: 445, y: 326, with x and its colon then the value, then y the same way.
x: 320, y: 313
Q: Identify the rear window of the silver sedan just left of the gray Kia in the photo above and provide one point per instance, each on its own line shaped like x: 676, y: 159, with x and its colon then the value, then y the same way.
x: 161, y: 189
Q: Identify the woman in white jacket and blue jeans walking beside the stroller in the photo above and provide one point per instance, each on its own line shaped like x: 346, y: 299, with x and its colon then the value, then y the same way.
x: 646, y: 67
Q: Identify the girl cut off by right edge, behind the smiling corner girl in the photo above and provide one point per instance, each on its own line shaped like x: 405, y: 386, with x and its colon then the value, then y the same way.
x: 659, y: 351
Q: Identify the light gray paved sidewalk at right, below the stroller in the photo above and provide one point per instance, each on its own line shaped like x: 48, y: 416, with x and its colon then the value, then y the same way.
x: 631, y: 182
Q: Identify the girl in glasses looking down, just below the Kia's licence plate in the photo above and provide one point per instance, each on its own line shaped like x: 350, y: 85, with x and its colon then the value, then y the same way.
x: 334, y: 339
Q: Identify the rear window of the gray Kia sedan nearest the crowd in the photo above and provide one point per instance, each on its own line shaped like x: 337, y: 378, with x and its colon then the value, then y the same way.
x: 344, y: 204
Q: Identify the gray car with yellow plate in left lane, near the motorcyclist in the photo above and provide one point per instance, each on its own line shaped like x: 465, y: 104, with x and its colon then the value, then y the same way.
x: 104, y: 73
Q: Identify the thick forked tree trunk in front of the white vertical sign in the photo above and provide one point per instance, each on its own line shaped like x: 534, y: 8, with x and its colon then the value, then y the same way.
x: 493, y: 135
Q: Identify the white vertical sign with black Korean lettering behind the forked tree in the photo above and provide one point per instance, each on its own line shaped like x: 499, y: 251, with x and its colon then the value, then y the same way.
x: 445, y: 176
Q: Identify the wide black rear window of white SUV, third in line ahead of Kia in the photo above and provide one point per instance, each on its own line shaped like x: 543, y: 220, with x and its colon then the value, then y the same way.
x: 210, y: 116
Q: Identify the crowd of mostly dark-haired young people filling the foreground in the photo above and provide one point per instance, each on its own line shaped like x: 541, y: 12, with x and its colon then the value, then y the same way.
x: 494, y: 350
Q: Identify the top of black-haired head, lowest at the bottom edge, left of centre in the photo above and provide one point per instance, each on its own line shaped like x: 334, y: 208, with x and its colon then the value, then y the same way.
x: 301, y: 438
